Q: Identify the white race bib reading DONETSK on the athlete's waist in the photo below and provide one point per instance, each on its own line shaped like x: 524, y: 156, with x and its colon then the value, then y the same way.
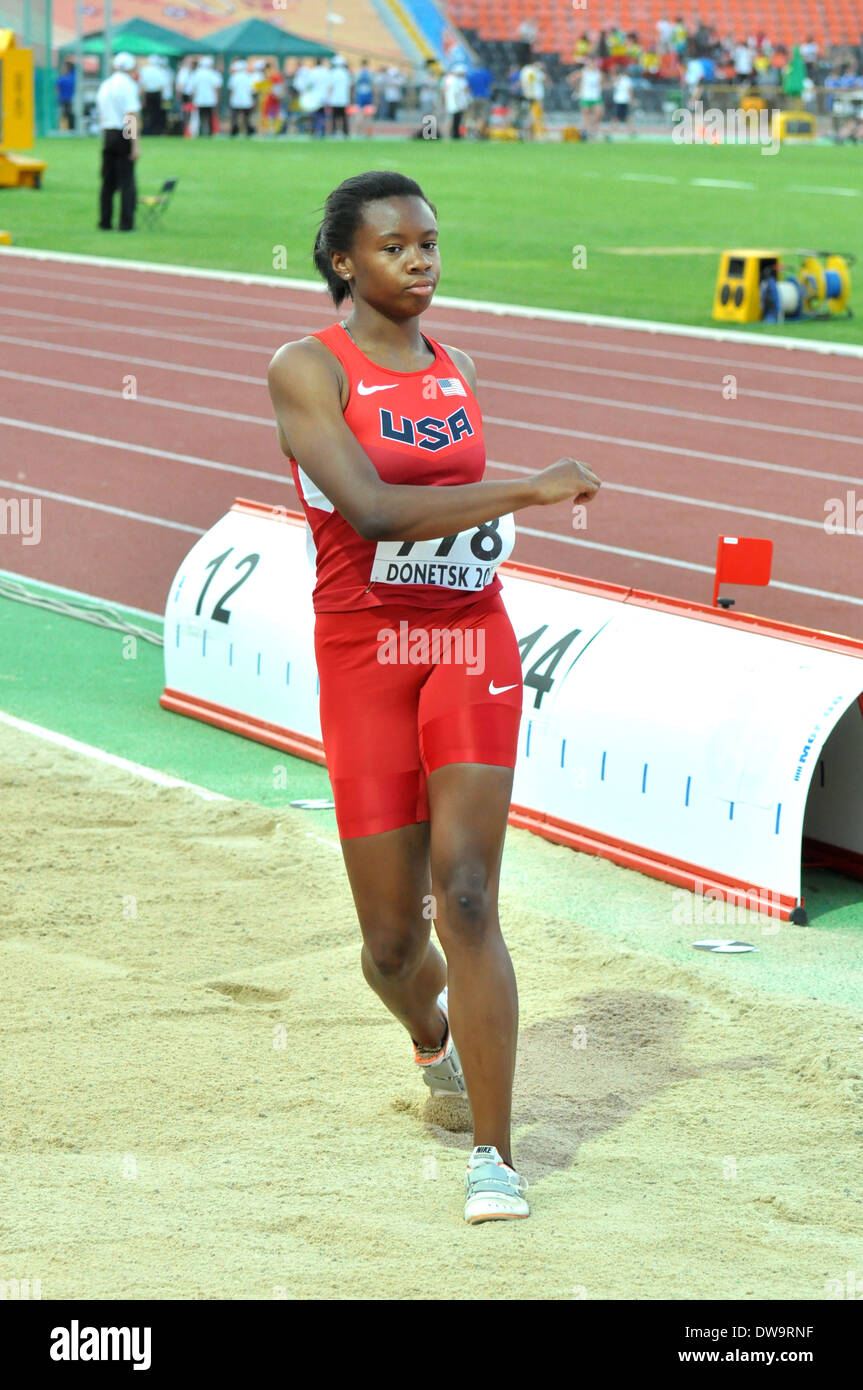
x: 466, y: 561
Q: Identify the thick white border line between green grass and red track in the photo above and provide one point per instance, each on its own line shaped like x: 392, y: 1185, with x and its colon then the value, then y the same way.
x: 448, y: 302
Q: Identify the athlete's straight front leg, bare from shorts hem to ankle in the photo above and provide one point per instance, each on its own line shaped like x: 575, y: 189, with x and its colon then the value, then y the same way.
x: 469, y: 807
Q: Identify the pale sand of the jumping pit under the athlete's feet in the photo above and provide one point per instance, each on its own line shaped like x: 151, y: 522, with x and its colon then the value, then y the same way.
x: 205, y: 1100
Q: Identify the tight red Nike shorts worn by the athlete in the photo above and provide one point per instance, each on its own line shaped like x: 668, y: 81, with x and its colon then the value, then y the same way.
x: 408, y: 690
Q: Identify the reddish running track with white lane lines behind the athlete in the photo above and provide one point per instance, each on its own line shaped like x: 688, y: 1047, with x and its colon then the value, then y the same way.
x: 129, y: 484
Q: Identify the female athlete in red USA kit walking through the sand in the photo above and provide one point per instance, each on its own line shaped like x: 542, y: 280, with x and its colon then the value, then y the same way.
x: 420, y: 673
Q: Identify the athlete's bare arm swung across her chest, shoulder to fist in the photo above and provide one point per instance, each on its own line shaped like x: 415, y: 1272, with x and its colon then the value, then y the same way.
x: 305, y: 389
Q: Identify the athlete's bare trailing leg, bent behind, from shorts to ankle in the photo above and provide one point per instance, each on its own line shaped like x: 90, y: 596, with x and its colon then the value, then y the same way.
x: 391, y: 885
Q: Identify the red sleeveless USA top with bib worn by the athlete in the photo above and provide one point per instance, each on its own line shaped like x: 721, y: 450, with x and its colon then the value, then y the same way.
x: 418, y: 427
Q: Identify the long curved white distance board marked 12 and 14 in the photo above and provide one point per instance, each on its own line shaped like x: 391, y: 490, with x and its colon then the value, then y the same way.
x: 669, y: 737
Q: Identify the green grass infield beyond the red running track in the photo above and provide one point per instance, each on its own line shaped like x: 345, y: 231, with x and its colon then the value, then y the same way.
x: 511, y: 215
